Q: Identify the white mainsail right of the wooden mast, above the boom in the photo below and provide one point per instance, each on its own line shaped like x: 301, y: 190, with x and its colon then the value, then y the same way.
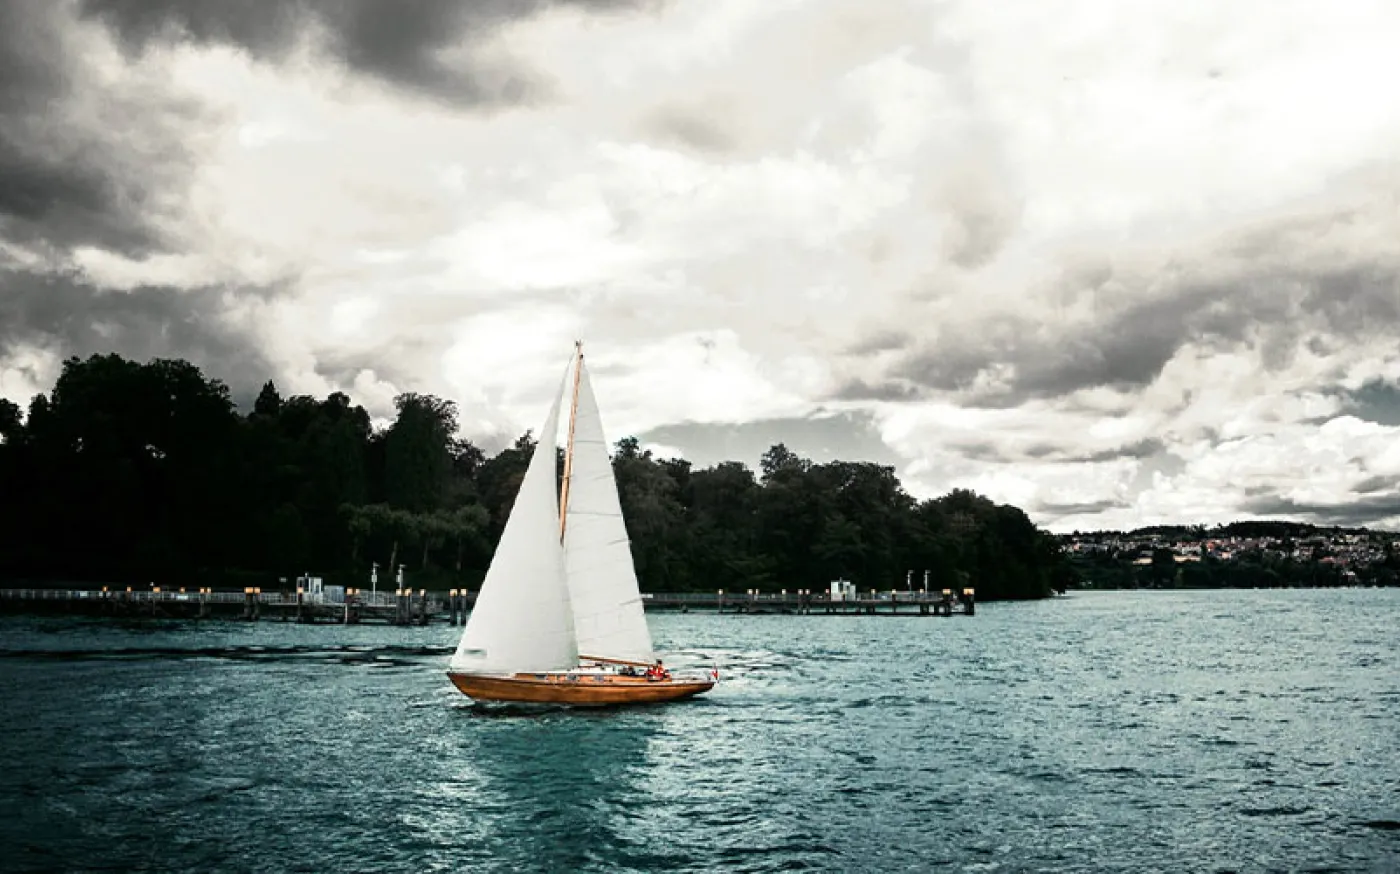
x: 603, y: 582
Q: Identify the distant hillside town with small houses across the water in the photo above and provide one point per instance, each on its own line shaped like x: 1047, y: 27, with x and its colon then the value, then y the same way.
x: 1251, y: 554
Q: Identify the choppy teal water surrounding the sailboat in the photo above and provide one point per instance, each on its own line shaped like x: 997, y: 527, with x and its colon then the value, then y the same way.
x: 1118, y: 732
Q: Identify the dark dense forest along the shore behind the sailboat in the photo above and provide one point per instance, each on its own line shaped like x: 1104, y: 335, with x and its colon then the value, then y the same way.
x: 146, y: 473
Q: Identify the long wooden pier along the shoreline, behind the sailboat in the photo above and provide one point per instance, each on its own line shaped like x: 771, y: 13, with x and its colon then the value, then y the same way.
x: 421, y: 607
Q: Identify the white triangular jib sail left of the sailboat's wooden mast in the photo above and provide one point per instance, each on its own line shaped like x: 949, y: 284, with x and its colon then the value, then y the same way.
x: 523, y: 620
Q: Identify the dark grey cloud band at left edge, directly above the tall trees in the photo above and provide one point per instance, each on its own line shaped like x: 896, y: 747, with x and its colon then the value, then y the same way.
x: 68, y: 317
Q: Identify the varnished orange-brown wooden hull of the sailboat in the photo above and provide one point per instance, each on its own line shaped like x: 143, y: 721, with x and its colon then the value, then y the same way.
x: 586, y: 690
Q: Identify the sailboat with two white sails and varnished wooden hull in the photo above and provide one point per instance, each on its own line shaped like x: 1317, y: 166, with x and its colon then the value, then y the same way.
x: 559, y: 618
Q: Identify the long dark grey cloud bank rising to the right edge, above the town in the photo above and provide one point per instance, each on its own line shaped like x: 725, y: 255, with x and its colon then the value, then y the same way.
x: 1275, y: 289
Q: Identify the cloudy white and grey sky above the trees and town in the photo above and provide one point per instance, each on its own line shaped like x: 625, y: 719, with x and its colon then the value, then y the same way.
x: 1118, y: 264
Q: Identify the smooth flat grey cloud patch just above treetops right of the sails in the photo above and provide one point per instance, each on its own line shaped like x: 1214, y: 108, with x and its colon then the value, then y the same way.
x: 846, y: 436
